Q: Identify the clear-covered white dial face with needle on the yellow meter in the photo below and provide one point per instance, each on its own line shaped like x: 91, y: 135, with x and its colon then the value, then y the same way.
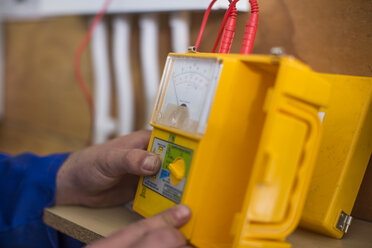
x: 186, y: 93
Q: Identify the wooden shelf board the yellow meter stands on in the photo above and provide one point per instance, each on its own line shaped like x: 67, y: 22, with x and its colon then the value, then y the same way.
x: 89, y: 225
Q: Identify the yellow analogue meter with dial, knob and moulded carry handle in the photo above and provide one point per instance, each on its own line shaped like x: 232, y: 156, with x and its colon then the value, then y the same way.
x: 238, y: 136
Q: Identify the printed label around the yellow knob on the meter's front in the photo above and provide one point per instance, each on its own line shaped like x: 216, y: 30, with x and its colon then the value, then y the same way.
x: 161, y: 182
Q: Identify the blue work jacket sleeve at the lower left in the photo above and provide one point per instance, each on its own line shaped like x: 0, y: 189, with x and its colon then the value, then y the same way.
x: 28, y: 185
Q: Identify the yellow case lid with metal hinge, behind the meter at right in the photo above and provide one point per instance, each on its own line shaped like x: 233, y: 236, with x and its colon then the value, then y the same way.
x: 343, y: 156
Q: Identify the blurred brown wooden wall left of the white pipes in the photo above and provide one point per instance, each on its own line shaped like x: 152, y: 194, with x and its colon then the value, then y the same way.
x: 44, y: 108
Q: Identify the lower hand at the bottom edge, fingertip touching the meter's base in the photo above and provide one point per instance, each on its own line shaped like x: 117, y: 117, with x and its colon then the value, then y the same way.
x: 159, y: 231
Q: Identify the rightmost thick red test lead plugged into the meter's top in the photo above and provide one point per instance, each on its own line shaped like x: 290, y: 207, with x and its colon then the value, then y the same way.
x: 250, y: 29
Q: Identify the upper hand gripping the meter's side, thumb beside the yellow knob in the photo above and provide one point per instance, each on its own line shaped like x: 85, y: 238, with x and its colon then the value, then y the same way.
x: 106, y: 174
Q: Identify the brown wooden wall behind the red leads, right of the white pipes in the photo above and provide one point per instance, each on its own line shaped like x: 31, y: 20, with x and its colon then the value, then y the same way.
x: 332, y: 36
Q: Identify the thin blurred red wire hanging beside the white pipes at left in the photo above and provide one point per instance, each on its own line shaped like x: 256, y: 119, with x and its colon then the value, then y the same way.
x: 97, y: 19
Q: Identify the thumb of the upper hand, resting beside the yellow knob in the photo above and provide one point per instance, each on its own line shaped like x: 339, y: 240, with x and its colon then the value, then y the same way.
x: 133, y: 161
